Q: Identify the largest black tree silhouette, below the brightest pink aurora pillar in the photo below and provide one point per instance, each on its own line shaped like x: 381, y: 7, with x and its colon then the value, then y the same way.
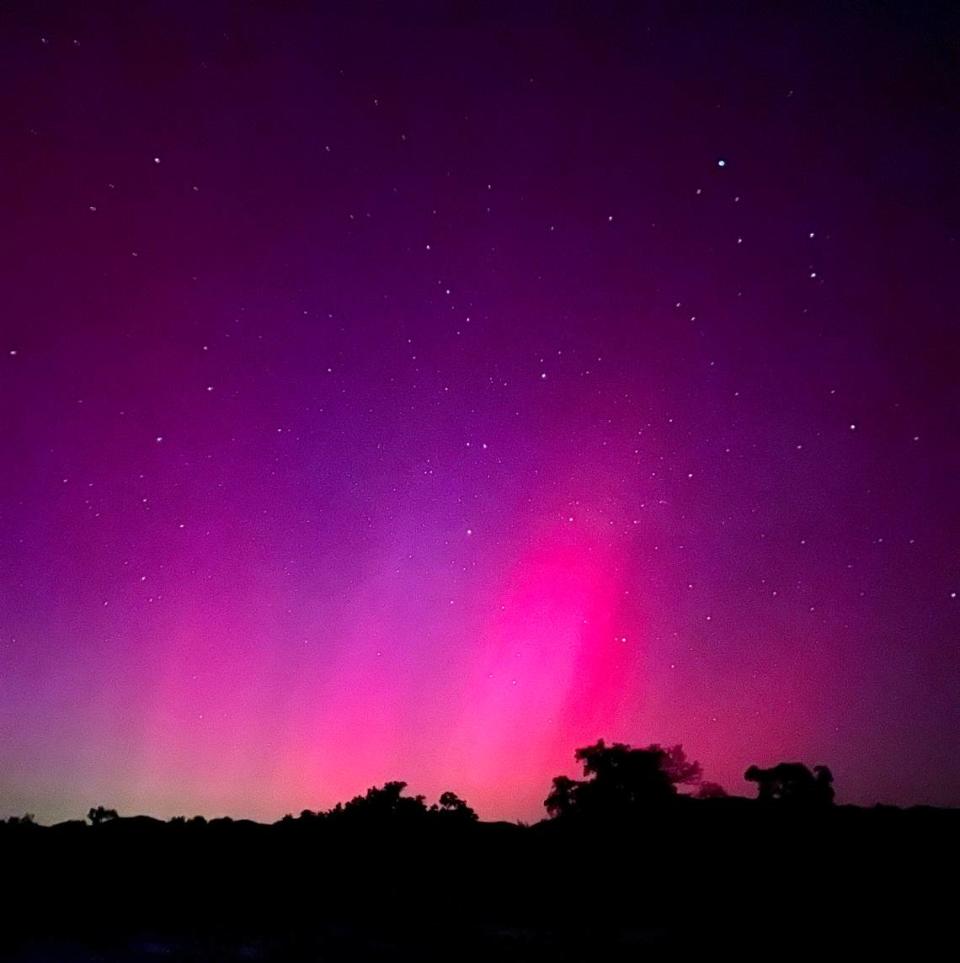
x: 620, y: 780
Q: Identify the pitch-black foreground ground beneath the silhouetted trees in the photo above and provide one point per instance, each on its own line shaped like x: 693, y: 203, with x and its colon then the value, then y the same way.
x: 718, y: 875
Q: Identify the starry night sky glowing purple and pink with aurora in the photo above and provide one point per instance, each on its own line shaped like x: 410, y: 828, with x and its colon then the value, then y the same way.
x: 421, y: 392
